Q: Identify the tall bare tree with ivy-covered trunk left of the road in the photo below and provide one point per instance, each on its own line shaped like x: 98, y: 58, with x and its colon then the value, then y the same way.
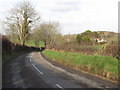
x: 20, y: 21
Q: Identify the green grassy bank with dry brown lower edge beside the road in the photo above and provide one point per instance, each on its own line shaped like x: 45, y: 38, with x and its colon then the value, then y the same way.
x: 104, y: 66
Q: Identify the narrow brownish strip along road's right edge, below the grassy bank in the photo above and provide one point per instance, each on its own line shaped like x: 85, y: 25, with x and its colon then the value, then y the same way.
x: 104, y: 83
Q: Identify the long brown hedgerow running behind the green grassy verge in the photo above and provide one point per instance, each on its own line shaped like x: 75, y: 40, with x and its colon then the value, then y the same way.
x: 105, y: 50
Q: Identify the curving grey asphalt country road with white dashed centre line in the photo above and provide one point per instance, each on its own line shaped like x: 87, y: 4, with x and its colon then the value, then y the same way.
x: 33, y: 71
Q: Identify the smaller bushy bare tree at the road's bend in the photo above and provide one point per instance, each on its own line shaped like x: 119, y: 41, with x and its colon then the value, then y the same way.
x: 47, y: 33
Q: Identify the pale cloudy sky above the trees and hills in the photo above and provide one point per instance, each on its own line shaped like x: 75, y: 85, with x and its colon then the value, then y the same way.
x: 74, y: 16
